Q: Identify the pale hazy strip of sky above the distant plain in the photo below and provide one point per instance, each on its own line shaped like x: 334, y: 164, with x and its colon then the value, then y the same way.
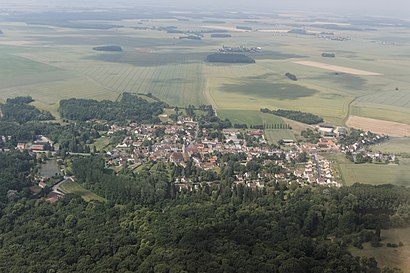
x: 400, y: 8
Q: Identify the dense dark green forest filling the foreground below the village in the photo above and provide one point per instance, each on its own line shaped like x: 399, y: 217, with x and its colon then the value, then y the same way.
x: 221, y: 228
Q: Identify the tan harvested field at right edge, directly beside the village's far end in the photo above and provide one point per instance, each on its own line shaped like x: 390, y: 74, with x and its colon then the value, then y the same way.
x: 379, y: 126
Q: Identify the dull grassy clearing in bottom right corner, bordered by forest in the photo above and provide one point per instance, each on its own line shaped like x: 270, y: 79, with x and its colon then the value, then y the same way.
x: 388, y: 256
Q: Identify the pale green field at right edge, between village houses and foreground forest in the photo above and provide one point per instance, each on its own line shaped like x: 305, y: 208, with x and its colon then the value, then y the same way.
x: 376, y: 174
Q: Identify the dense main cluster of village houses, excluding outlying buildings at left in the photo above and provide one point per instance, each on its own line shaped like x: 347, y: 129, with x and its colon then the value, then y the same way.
x: 178, y: 143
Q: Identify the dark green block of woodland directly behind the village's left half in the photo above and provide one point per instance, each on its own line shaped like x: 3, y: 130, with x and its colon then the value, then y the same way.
x: 129, y: 107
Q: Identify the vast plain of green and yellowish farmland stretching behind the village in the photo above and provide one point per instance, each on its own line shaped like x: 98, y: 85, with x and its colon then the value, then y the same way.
x: 53, y: 62
